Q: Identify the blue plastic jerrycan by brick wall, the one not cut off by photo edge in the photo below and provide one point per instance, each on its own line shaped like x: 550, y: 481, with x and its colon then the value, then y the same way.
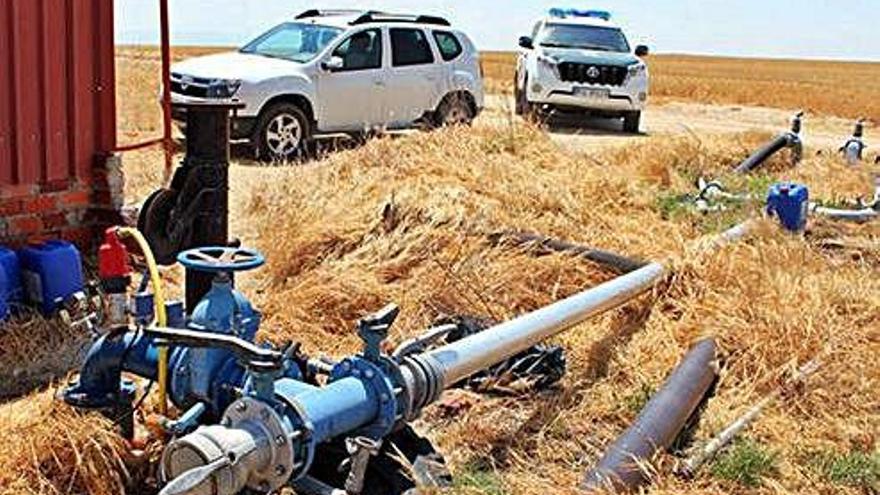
x: 52, y: 273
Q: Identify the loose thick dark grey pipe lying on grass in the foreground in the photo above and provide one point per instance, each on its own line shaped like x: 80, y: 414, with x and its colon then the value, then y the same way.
x: 658, y: 425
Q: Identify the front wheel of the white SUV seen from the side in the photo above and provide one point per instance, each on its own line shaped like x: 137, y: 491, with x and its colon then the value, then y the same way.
x: 282, y: 133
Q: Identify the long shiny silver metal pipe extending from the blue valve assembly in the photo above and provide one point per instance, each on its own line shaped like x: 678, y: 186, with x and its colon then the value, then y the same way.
x: 461, y: 359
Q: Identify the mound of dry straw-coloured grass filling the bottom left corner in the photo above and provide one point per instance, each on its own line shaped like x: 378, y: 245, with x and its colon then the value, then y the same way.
x: 48, y: 449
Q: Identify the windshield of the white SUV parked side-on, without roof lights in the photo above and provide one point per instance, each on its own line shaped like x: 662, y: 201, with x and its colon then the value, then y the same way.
x: 293, y: 41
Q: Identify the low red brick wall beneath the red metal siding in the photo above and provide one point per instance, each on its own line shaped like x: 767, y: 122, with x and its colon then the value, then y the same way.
x: 76, y: 211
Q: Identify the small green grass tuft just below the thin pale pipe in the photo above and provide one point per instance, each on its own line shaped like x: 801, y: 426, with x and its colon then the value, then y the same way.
x: 746, y: 462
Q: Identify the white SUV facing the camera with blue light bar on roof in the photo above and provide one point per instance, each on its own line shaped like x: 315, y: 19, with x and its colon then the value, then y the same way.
x: 578, y: 61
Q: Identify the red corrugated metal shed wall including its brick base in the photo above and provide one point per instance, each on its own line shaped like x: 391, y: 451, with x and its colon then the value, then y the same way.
x: 57, y: 117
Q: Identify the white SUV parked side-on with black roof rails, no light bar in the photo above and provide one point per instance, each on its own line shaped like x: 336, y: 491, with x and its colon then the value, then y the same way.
x: 339, y: 71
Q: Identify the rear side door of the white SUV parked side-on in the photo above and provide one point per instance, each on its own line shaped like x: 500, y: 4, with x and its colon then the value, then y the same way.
x: 415, y: 80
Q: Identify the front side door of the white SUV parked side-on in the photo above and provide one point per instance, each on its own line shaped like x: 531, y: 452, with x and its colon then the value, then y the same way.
x: 350, y: 84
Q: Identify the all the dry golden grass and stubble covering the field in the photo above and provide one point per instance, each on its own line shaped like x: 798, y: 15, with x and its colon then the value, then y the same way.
x: 406, y: 219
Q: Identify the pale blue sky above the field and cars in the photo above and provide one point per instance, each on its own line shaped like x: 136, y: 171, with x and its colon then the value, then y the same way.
x: 815, y: 29
